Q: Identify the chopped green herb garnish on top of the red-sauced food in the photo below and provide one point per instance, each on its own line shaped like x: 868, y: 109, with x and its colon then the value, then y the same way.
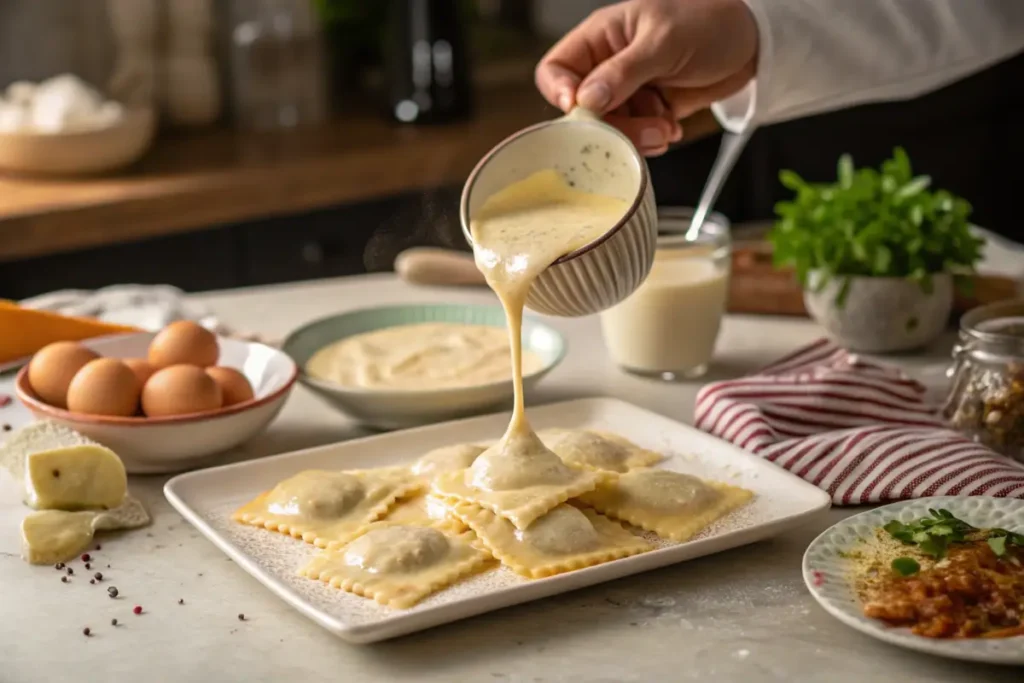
x: 933, y: 536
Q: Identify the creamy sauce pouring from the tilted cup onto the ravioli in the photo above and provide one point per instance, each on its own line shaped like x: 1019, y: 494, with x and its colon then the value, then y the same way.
x: 520, y: 232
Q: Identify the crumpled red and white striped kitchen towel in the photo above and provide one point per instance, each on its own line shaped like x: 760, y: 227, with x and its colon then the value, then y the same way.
x: 862, y: 432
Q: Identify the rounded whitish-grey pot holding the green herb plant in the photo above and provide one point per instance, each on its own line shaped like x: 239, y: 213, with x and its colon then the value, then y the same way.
x: 882, y: 315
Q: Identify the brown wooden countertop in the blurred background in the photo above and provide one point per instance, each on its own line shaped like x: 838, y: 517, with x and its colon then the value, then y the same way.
x: 203, y: 180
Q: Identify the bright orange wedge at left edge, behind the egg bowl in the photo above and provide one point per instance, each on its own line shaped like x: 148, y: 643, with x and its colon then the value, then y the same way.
x: 25, y: 331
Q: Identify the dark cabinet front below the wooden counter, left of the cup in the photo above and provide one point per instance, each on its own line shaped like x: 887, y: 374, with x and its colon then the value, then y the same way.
x: 342, y: 241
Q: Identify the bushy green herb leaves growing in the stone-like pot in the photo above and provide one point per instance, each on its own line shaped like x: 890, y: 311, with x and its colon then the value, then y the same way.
x: 884, y: 223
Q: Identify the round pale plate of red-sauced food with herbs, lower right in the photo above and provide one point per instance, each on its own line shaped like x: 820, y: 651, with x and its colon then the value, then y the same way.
x: 866, y: 576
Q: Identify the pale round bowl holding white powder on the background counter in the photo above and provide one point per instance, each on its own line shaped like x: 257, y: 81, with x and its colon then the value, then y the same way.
x: 79, y: 153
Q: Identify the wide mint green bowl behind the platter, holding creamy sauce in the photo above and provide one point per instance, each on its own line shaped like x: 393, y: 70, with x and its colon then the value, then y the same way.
x: 396, y: 409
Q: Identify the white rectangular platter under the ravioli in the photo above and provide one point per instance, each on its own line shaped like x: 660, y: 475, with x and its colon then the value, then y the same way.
x: 207, y: 499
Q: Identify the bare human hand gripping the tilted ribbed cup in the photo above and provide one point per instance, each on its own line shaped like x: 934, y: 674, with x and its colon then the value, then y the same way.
x: 645, y: 65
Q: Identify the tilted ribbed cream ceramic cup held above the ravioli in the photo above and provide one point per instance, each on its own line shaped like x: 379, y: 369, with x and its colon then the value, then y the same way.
x: 595, y: 158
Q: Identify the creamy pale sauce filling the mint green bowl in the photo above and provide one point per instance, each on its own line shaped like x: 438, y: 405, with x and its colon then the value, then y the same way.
x: 429, y: 356
